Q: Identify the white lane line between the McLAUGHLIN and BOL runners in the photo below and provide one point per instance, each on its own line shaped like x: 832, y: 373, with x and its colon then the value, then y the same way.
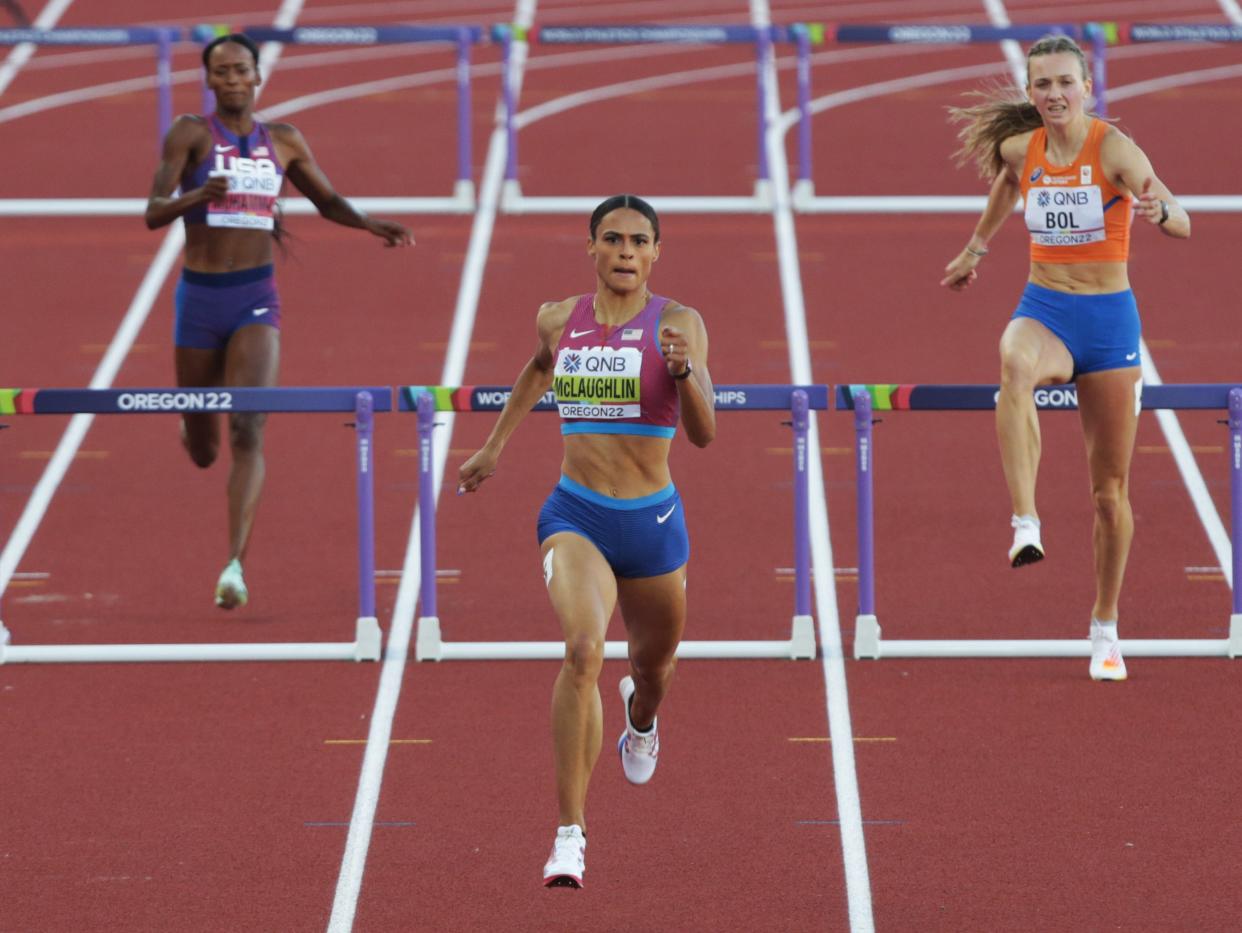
x: 845, y: 776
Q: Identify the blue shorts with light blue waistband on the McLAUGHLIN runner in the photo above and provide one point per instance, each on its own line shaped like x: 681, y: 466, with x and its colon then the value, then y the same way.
x: 643, y: 537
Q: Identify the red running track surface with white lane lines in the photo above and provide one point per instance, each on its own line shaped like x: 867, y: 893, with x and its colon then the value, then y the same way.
x: 997, y: 796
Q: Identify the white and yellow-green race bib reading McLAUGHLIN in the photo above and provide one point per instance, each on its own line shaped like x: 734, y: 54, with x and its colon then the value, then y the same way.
x: 598, y: 383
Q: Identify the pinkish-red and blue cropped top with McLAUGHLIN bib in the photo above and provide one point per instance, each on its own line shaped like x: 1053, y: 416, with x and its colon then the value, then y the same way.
x: 614, y: 380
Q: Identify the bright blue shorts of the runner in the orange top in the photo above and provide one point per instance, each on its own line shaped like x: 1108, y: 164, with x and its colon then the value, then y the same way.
x: 1100, y: 331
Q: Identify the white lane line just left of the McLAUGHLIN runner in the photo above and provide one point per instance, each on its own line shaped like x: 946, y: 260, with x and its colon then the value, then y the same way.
x: 362, y: 823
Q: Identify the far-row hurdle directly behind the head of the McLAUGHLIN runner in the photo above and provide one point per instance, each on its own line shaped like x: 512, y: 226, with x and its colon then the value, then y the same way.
x: 514, y: 202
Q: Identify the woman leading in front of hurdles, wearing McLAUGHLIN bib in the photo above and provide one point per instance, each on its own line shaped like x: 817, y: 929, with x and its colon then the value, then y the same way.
x: 624, y: 365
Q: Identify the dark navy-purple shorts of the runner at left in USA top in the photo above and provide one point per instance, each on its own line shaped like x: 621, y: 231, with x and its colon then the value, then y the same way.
x: 212, y: 307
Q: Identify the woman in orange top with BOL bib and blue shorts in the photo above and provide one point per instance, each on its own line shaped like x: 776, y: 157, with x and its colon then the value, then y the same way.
x: 1077, y: 317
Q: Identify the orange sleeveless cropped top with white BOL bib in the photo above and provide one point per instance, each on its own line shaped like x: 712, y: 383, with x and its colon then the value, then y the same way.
x: 1072, y: 212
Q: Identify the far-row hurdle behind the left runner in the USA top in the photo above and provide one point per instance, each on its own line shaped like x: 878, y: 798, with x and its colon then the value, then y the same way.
x: 463, y: 38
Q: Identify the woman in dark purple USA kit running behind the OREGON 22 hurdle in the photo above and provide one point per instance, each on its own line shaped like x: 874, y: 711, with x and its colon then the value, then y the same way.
x: 230, y: 170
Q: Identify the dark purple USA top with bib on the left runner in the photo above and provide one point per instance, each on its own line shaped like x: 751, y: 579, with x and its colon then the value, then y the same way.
x: 255, y: 178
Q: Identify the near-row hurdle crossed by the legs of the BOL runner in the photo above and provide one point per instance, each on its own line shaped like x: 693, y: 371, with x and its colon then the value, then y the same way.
x: 868, y: 398
